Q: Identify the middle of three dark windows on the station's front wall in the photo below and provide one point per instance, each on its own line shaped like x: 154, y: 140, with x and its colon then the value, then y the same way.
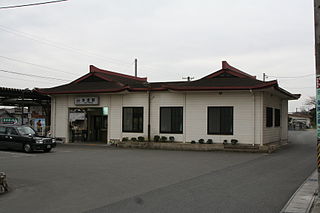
x: 171, y: 120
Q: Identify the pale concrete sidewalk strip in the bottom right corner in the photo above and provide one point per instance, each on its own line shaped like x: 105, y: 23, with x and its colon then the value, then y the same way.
x: 302, y: 200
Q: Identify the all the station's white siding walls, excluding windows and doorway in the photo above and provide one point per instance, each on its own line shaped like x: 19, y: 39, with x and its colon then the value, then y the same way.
x: 249, y: 114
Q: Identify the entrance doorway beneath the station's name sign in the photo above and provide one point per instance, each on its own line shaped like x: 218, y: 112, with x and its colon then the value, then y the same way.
x: 88, y: 124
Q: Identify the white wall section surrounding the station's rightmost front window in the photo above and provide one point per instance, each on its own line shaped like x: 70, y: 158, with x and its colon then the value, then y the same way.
x: 196, y: 115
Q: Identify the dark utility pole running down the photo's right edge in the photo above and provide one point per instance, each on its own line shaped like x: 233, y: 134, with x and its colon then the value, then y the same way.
x: 317, y: 51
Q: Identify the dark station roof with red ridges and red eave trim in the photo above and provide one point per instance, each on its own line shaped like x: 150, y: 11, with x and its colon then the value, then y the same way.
x: 98, y: 80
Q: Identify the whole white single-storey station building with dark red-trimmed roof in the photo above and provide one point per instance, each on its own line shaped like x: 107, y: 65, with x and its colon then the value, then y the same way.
x: 224, y: 105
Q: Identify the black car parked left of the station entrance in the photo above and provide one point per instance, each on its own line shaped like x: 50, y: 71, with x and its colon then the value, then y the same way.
x: 22, y: 137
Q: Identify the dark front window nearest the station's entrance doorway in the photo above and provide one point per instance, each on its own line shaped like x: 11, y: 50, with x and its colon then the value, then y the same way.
x: 132, y: 119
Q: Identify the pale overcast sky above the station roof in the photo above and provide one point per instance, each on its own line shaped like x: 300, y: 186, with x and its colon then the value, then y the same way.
x: 171, y: 39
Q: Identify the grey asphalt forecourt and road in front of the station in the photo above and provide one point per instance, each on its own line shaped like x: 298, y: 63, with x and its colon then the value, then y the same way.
x: 100, y: 179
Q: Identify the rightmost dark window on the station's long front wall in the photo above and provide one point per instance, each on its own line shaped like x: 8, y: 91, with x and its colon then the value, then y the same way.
x: 220, y: 120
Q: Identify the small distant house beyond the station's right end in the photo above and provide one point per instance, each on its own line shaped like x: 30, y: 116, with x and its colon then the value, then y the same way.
x: 298, y: 120
